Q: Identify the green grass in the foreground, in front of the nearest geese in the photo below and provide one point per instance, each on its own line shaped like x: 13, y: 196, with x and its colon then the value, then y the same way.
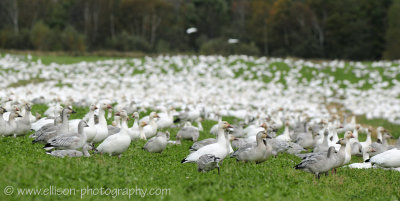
x: 25, y: 165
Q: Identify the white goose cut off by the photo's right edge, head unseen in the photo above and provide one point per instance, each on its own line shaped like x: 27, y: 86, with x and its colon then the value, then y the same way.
x: 387, y: 159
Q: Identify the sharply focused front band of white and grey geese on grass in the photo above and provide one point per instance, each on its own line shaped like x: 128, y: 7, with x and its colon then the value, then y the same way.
x: 253, y: 139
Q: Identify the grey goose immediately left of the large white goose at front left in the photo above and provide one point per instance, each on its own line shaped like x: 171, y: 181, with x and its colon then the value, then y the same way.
x: 69, y: 140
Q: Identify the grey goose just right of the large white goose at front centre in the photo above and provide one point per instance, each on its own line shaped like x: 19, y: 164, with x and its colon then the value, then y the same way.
x: 254, y: 152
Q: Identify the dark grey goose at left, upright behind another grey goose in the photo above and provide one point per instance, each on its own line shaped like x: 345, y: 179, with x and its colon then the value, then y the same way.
x: 43, y: 135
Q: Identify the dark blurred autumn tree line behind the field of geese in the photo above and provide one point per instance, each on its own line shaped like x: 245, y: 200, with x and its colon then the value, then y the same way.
x: 331, y: 29
